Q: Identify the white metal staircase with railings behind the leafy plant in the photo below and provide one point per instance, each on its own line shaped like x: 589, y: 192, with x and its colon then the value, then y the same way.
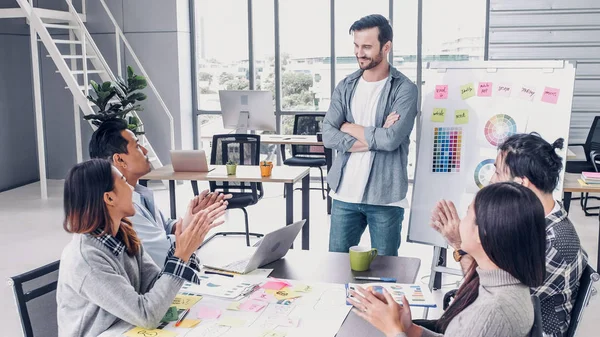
x: 77, y: 59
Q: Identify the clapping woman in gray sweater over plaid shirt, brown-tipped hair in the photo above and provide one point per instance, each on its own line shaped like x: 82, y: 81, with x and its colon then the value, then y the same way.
x: 106, y: 282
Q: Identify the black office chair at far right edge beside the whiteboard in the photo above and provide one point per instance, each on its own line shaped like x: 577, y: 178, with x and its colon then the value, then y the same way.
x: 591, y: 149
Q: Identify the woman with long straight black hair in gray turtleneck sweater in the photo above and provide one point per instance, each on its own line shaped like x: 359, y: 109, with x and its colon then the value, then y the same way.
x: 504, y: 231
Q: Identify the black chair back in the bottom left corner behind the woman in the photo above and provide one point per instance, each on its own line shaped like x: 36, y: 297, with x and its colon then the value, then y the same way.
x: 35, y: 294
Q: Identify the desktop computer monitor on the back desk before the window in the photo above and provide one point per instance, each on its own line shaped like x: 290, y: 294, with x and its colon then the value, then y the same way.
x: 245, y: 110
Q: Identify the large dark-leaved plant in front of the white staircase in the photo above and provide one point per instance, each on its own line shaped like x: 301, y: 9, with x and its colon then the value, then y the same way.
x: 120, y: 101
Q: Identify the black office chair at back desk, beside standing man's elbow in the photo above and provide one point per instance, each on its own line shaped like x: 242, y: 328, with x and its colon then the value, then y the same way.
x: 305, y: 155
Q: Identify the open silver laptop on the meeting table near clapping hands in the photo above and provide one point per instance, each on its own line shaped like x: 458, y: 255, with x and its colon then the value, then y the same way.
x: 272, y: 247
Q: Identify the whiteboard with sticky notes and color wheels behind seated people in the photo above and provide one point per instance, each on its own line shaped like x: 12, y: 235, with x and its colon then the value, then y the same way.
x: 484, y: 102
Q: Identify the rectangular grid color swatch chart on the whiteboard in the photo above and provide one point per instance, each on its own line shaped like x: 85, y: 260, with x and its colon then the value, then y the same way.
x: 447, y: 146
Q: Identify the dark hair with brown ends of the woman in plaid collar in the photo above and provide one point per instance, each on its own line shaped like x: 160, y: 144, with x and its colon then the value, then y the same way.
x: 85, y: 210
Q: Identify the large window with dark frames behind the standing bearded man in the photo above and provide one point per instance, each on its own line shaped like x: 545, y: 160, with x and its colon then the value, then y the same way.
x: 451, y: 31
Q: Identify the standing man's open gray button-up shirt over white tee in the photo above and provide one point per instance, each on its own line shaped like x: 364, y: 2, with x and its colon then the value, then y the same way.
x: 388, y: 179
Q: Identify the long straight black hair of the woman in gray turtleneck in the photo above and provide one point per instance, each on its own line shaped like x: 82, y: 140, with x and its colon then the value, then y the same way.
x: 512, y: 229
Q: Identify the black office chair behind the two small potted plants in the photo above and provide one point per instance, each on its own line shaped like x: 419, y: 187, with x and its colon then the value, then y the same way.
x: 244, y: 149
